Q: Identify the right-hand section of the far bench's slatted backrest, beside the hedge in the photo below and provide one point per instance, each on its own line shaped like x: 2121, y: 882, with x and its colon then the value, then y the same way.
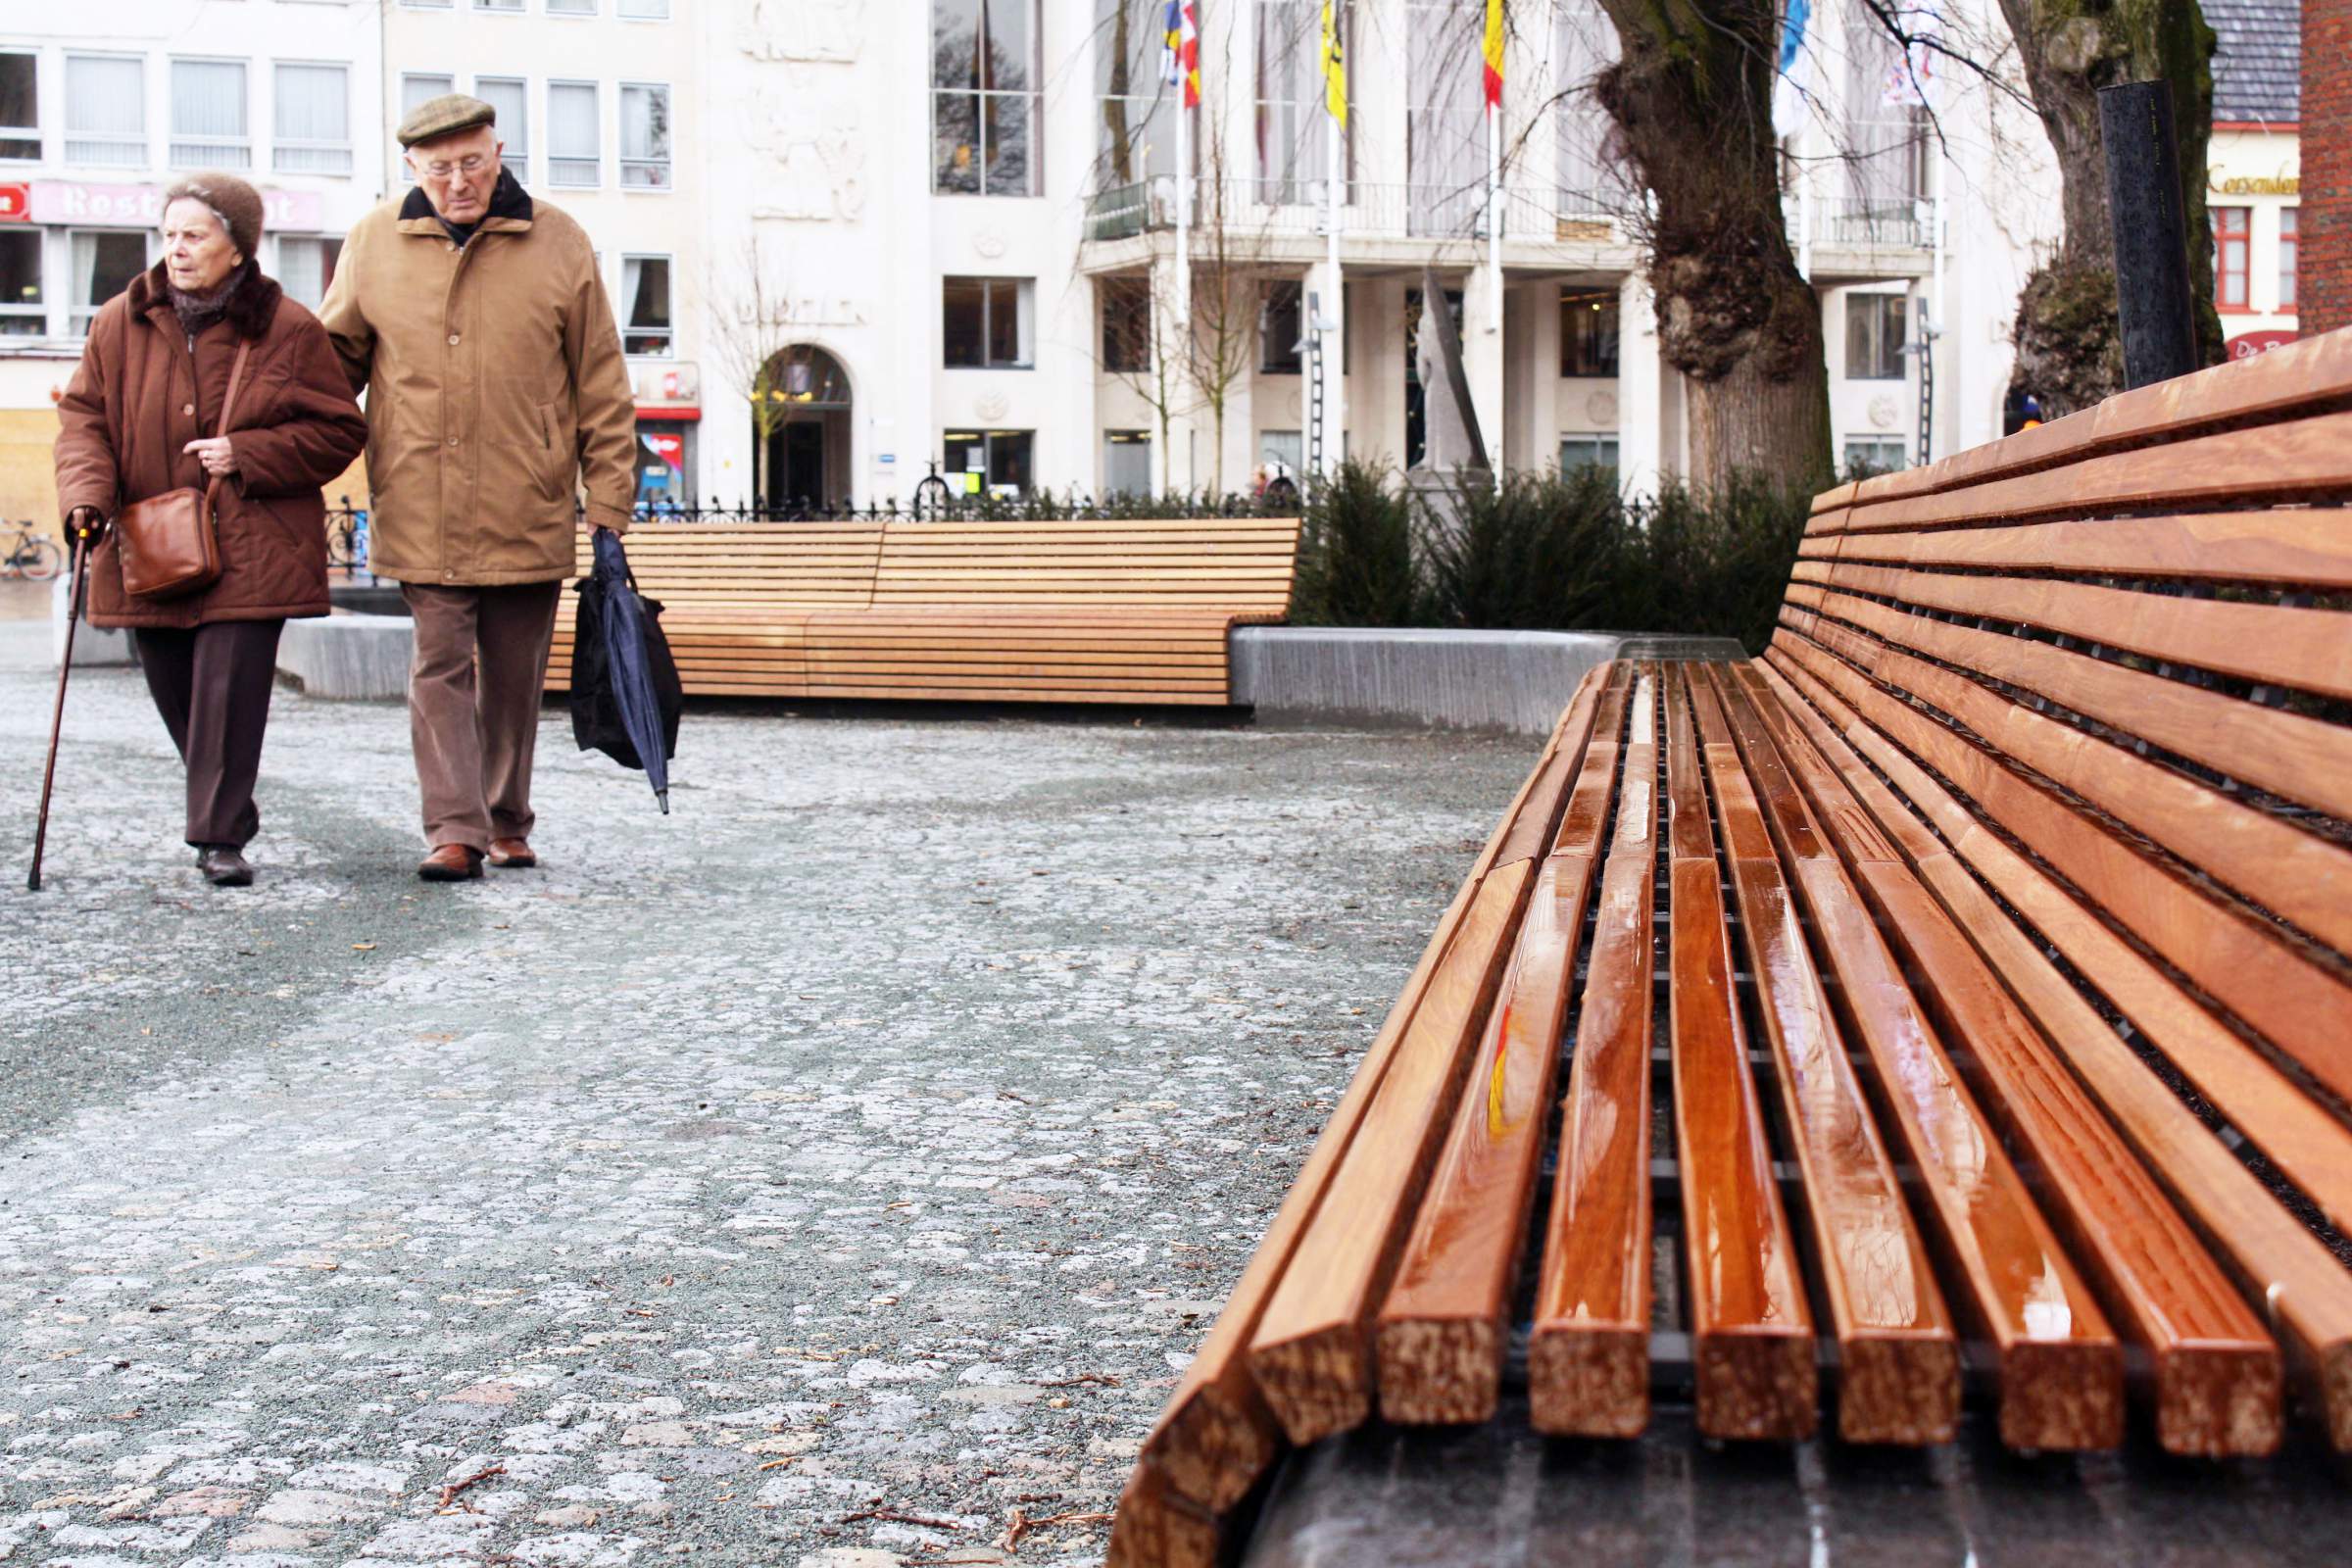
x: 1231, y: 565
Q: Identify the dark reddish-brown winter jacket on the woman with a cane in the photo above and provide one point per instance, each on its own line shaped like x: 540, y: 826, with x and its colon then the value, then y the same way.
x: 142, y: 394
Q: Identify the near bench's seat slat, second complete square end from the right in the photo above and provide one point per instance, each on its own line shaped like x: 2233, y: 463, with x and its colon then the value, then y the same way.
x: 2059, y: 1365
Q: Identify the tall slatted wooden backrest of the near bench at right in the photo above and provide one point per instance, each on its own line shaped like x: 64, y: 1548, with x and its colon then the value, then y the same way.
x: 2123, y: 645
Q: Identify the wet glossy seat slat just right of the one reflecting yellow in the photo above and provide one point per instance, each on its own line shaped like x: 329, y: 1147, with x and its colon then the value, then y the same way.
x: 1589, y: 1358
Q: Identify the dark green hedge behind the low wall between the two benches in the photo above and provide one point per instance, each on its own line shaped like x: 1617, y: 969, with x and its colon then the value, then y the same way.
x: 1549, y: 551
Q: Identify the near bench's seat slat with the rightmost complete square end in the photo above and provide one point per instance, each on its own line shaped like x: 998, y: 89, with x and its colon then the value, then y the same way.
x: 2214, y: 1367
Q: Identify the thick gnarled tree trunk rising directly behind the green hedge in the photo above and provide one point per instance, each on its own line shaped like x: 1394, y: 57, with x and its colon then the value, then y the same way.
x: 1692, y: 100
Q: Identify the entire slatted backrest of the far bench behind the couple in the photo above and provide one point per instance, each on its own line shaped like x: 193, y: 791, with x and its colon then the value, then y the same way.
x: 1222, y: 565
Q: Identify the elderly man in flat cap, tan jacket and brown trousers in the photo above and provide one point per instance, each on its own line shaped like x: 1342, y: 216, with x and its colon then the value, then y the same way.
x: 481, y: 326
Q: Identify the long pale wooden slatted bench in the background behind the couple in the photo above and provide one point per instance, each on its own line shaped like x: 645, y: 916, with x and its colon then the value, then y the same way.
x: 1038, y: 612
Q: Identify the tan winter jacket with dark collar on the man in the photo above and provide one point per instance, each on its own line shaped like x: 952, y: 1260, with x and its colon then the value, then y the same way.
x: 495, y: 391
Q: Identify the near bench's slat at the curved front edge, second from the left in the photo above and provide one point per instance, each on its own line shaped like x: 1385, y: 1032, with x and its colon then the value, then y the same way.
x: 1217, y: 1433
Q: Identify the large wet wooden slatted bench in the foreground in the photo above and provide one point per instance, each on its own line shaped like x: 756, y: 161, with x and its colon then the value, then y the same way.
x: 1958, y: 998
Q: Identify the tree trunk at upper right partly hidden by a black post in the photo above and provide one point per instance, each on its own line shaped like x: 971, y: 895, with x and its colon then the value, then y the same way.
x: 2071, y: 349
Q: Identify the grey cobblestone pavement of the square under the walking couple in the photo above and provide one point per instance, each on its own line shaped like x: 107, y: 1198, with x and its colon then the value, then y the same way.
x: 817, y: 1177
